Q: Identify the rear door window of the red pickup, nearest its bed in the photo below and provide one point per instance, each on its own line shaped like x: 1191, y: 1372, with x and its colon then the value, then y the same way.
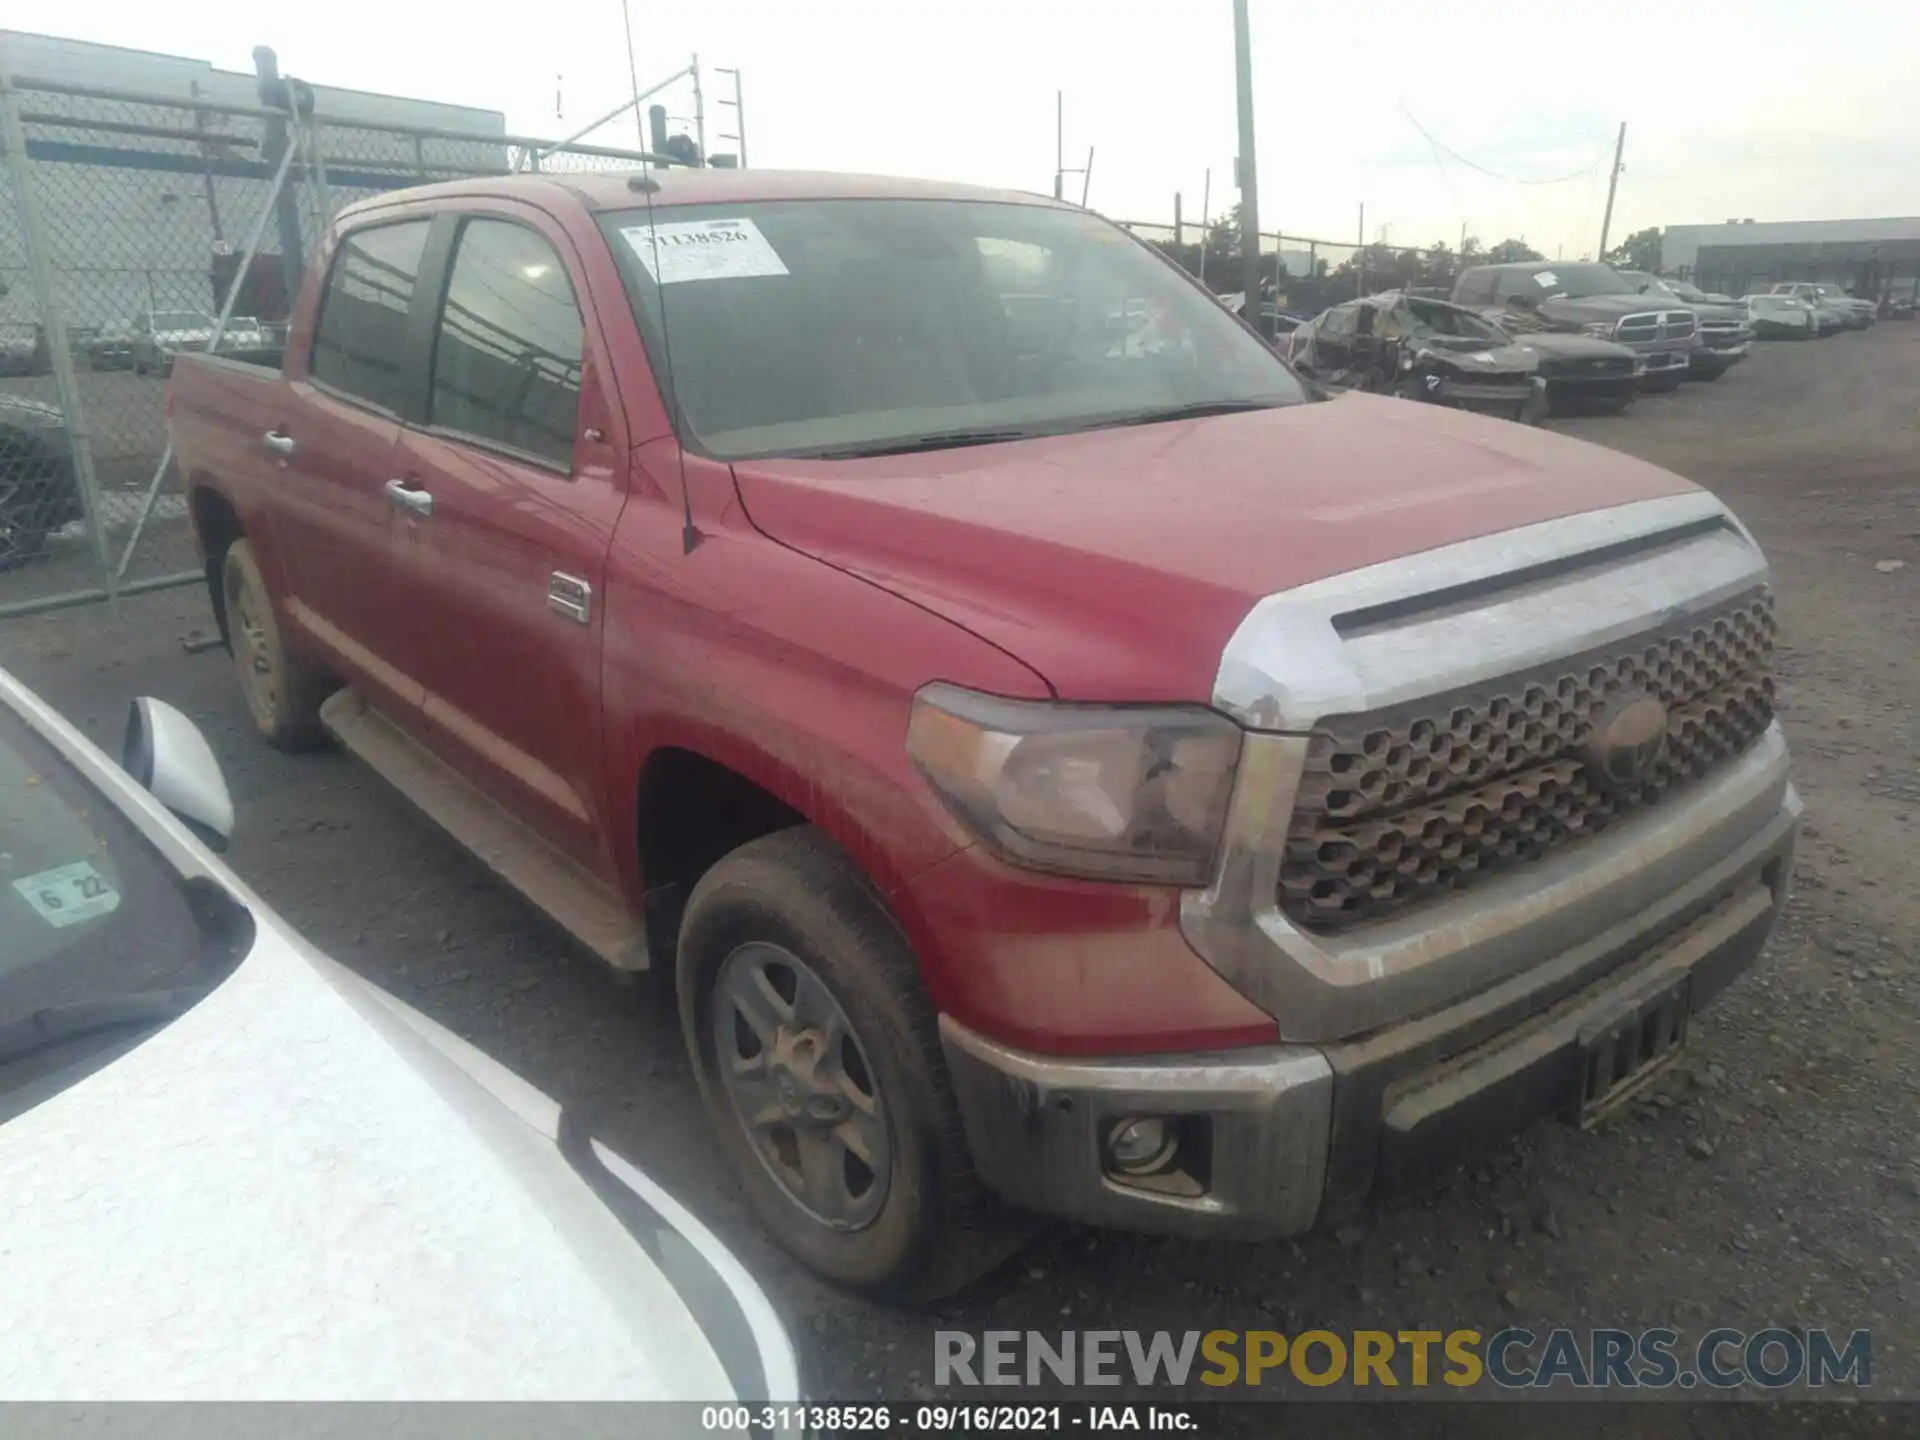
x: 360, y: 343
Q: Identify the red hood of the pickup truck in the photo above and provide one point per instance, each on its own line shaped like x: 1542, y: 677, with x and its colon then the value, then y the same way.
x: 1120, y: 562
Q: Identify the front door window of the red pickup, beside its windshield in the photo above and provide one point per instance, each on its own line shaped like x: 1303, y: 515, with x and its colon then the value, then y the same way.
x: 508, y: 347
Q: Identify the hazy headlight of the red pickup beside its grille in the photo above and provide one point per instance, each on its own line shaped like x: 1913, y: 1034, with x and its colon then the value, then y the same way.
x: 1082, y: 790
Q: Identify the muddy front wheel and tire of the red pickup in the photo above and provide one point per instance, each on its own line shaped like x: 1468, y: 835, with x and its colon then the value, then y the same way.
x: 794, y: 905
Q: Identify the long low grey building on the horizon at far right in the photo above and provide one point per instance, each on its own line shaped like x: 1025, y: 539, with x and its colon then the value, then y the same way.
x: 1867, y: 258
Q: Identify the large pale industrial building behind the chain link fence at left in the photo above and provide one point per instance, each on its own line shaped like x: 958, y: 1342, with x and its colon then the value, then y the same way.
x: 151, y: 172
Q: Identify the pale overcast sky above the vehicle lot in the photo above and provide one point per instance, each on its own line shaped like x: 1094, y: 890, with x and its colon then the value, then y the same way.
x: 1735, y: 108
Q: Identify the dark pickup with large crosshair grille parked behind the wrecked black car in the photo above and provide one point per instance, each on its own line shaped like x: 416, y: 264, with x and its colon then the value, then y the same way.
x: 1587, y: 299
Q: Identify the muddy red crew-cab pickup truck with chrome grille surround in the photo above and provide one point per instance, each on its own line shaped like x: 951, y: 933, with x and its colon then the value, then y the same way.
x: 1067, y: 763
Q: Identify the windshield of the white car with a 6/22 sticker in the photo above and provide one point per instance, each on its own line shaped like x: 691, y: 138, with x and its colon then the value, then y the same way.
x: 101, y: 940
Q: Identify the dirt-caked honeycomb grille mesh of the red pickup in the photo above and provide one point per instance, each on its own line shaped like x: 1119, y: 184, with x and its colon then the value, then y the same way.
x: 1403, y: 805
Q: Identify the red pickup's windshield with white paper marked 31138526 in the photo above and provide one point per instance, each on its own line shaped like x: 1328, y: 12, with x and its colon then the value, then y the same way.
x: 840, y: 327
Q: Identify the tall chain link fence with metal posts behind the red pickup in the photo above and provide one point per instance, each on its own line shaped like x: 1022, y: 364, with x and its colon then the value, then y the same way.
x: 135, y: 228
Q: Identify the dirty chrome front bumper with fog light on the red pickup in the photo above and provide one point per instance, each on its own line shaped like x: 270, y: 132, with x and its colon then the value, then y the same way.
x: 1287, y: 1138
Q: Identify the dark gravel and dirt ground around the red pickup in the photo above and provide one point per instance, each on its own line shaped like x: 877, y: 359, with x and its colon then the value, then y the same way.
x: 1775, y: 1180
